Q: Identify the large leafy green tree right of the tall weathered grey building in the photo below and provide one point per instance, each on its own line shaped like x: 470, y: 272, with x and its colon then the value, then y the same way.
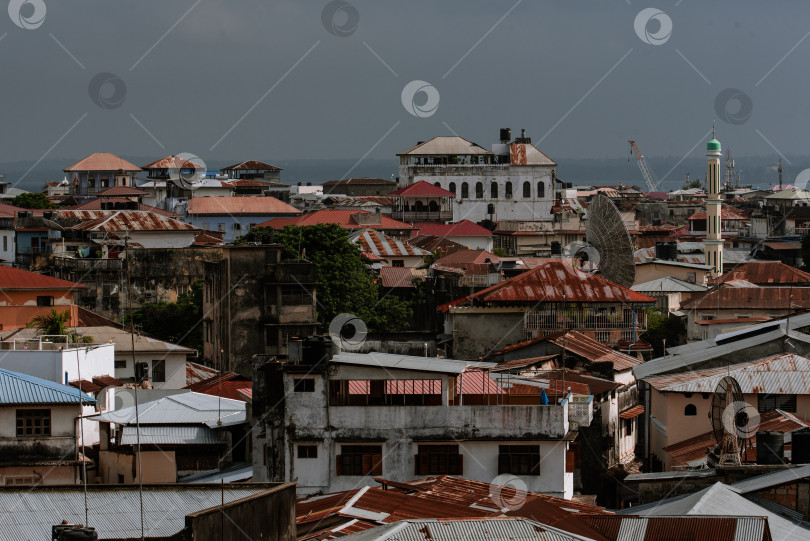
x: 344, y: 283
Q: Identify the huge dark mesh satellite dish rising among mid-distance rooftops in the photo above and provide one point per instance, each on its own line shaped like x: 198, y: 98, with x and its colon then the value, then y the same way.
x: 607, y: 233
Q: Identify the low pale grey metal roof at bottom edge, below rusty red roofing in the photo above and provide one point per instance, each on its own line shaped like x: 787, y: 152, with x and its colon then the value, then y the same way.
x: 478, y: 529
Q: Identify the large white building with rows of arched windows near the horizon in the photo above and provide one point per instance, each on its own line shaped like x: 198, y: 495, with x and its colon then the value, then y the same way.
x: 514, y: 181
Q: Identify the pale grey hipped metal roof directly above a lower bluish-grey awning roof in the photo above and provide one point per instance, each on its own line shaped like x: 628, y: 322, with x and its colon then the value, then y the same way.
x: 181, y: 409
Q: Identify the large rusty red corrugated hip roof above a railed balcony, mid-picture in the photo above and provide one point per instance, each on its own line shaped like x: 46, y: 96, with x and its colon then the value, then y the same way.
x: 554, y: 281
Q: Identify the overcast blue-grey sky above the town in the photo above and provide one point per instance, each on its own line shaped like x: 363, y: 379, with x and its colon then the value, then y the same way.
x: 267, y: 80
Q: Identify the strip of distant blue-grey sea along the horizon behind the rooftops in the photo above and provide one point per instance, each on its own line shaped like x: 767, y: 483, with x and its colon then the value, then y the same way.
x: 760, y: 172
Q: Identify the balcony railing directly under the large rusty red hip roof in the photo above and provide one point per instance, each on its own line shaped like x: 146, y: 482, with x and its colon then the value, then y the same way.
x: 582, y: 319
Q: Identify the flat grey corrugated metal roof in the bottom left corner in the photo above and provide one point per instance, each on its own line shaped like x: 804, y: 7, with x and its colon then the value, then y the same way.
x: 27, y: 515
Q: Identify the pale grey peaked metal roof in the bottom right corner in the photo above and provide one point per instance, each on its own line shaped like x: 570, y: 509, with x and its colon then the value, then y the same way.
x: 720, y: 500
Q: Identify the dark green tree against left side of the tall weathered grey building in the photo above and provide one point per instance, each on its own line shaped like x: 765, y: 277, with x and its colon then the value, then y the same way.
x: 177, y: 322
